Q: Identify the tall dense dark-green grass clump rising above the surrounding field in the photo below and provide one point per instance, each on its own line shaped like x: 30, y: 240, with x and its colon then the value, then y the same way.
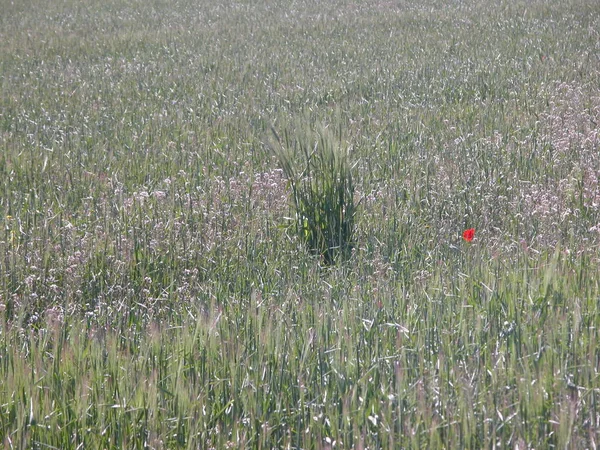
x: 320, y: 176
